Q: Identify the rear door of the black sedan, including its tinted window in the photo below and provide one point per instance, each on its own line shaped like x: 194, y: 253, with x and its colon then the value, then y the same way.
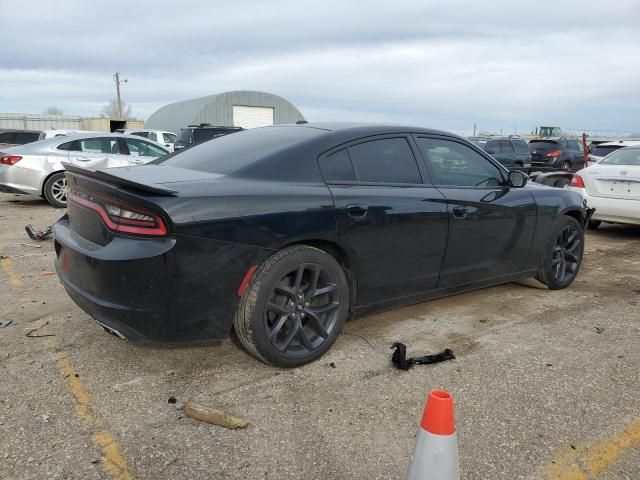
x: 390, y: 223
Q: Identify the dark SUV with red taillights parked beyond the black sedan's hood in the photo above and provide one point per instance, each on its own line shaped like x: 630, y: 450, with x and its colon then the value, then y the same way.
x: 564, y: 153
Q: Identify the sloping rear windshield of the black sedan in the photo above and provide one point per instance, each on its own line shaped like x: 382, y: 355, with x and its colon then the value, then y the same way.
x: 234, y: 152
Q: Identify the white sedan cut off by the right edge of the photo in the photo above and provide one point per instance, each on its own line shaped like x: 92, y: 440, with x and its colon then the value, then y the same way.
x: 612, y: 187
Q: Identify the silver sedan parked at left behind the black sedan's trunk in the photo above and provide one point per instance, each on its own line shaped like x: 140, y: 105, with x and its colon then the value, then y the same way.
x: 37, y: 168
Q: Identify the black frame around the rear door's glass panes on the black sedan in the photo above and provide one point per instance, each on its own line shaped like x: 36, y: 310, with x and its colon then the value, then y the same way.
x: 425, y: 177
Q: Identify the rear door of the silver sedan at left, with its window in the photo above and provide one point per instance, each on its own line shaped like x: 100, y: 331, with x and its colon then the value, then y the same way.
x: 97, y: 152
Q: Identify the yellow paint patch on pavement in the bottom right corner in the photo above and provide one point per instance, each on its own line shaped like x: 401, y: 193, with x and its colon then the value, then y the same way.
x: 584, y: 462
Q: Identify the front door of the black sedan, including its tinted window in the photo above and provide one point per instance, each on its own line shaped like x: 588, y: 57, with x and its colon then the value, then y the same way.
x: 491, y: 225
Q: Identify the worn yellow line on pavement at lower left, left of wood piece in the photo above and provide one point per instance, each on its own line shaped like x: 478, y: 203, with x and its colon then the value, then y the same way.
x: 112, y: 458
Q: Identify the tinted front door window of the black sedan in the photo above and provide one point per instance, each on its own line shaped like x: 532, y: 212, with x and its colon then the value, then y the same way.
x: 455, y: 164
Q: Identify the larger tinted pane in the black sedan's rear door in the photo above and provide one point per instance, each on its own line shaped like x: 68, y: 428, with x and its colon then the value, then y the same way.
x: 389, y: 160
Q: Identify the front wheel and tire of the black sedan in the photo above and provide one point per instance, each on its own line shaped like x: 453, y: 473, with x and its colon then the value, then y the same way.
x: 562, y: 254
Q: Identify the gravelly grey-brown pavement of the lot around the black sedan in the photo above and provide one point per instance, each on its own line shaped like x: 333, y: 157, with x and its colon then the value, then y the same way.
x: 546, y: 383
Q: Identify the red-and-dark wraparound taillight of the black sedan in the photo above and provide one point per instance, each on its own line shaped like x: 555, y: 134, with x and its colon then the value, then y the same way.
x: 119, y: 216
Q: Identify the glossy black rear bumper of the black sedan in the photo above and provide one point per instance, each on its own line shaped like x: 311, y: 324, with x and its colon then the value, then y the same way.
x: 179, y: 289
